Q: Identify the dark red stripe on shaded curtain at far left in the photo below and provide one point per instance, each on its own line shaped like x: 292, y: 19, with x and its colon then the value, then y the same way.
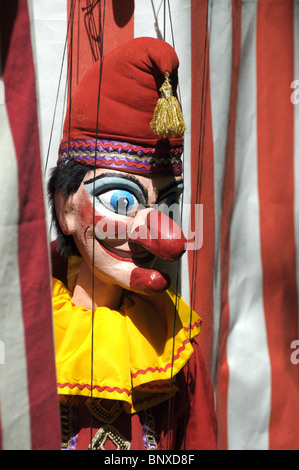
x: 21, y: 104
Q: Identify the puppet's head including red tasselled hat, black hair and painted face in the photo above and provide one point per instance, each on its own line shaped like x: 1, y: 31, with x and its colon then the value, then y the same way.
x: 119, y: 166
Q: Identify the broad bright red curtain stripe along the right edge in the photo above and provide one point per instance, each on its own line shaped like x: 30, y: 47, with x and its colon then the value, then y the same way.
x: 275, y: 72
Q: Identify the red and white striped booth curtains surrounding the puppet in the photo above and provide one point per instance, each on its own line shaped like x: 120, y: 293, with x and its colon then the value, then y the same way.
x: 239, y: 61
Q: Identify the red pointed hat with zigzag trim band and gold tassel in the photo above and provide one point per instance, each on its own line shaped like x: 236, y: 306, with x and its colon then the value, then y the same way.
x: 124, y: 114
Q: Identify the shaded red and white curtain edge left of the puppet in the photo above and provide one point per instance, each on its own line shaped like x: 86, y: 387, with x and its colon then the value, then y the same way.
x: 29, y: 416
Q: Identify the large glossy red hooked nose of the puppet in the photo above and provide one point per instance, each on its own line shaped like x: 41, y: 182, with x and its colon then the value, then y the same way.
x: 159, y: 234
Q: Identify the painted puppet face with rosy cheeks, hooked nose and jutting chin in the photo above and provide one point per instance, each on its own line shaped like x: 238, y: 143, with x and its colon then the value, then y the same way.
x: 121, y: 223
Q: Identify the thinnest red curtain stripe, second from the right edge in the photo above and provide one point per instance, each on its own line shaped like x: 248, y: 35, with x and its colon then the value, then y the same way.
x: 227, y: 208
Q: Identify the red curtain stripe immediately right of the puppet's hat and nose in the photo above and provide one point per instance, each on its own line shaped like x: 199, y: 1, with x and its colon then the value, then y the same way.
x: 202, y: 177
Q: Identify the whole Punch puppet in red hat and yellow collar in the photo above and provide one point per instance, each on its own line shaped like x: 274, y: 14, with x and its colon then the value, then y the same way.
x: 130, y: 373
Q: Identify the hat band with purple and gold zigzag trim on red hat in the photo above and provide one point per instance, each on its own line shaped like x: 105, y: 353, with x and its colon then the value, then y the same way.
x: 122, y: 156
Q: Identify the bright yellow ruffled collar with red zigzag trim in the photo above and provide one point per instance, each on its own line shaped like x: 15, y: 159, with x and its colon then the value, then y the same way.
x: 131, y: 355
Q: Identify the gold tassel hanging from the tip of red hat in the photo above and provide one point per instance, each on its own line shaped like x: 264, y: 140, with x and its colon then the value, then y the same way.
x: 168, y: 119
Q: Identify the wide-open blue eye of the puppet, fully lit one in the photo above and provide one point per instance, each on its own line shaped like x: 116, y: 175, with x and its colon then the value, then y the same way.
x: 119, y: 201
